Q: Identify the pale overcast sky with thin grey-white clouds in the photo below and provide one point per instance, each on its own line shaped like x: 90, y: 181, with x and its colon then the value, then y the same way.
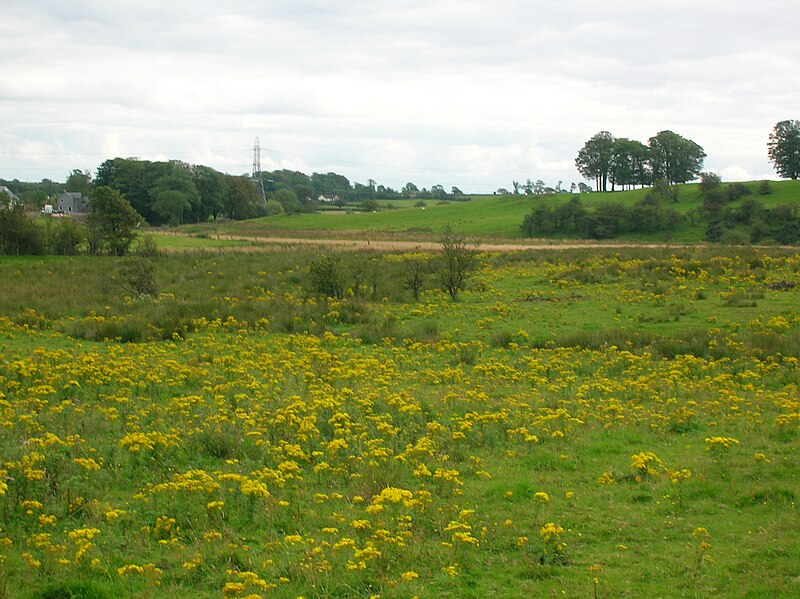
x: 466, y: 93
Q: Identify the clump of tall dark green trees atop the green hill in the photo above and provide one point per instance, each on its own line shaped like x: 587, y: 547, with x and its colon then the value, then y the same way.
x: 626, y: 163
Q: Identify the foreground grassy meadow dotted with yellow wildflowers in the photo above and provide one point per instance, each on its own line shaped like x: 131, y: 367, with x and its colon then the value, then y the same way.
x: 580, y: 423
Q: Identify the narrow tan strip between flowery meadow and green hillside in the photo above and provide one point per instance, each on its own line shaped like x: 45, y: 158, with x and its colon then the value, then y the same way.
x: 266, y: 243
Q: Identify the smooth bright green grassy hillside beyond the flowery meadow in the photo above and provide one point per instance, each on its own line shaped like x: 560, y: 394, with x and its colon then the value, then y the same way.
x: 482, y: 216
